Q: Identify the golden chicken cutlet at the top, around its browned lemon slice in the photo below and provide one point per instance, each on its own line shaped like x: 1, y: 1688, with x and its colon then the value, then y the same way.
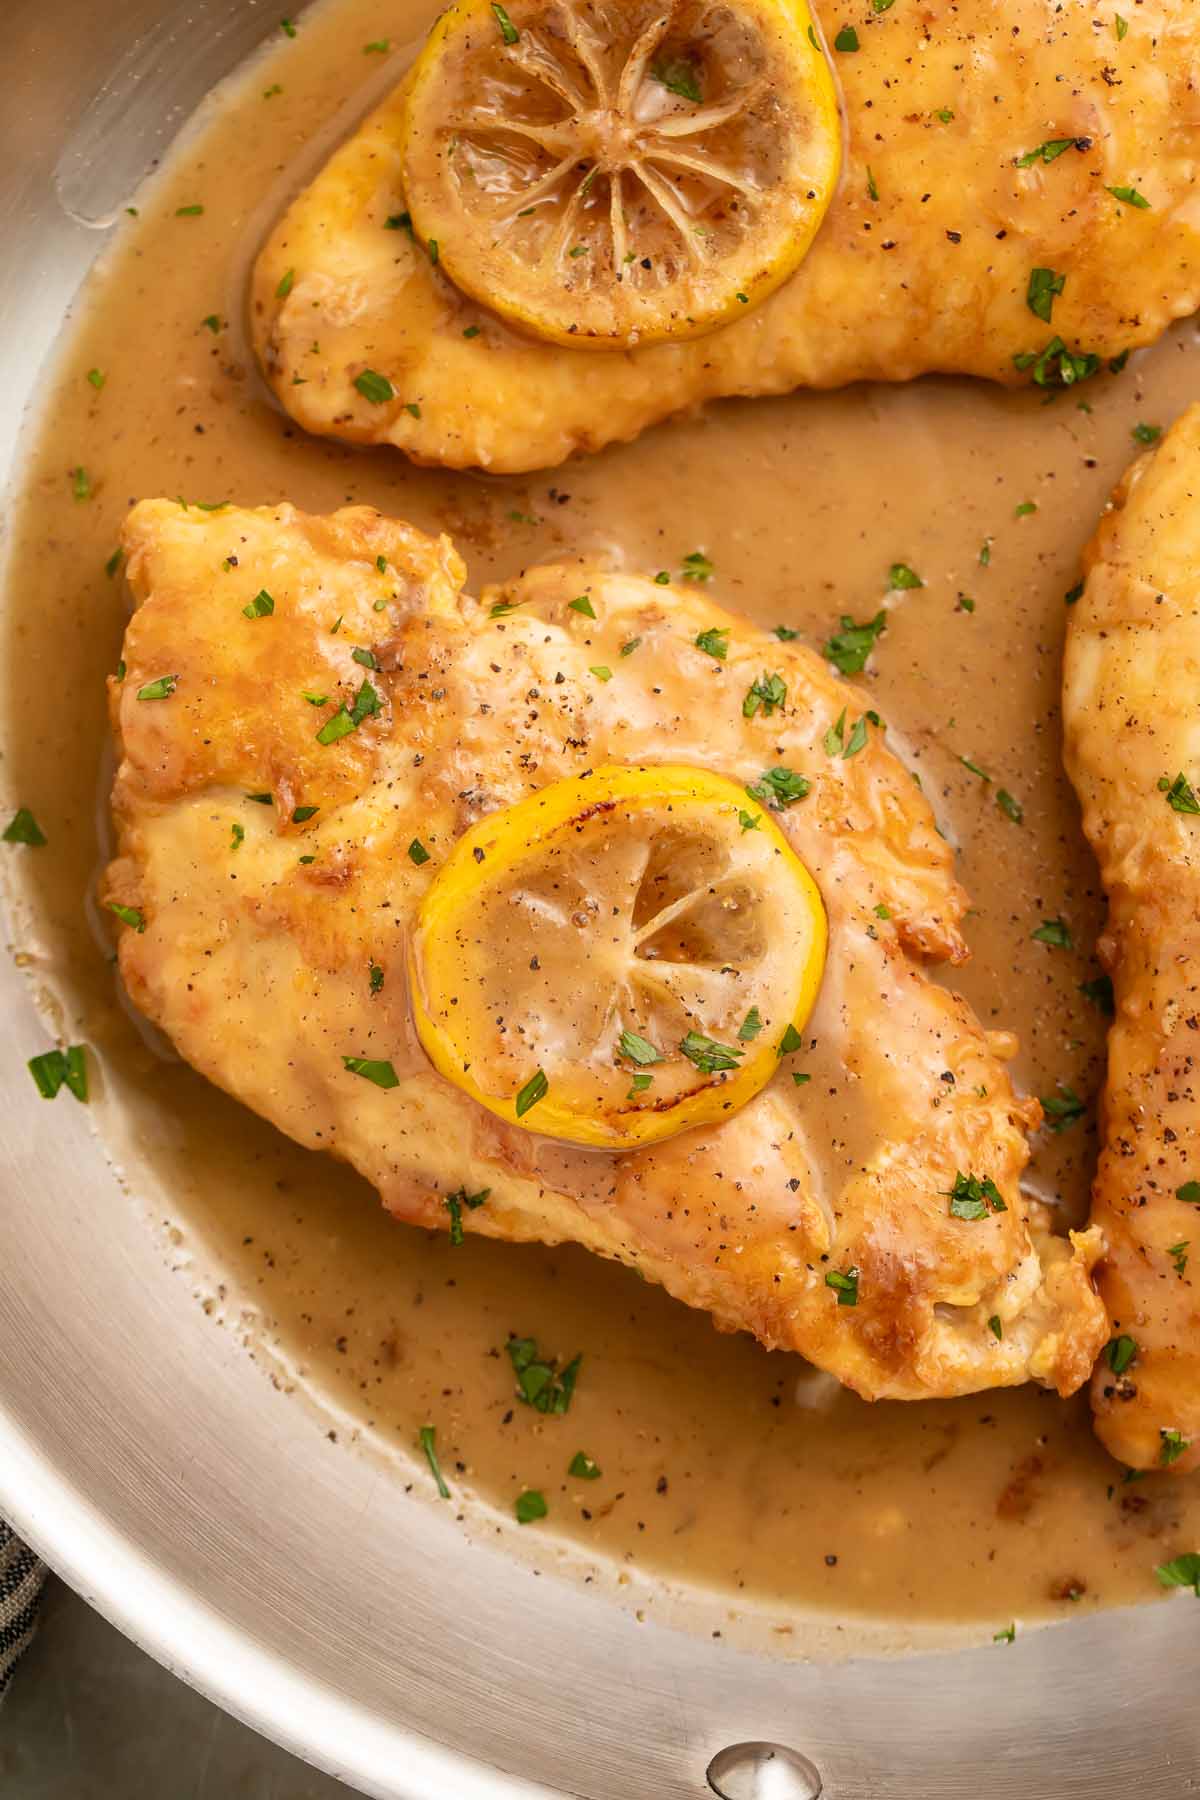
x: 1019, y: 175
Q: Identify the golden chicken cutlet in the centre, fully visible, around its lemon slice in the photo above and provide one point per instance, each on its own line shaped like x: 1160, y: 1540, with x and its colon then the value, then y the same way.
x: 276, y: 886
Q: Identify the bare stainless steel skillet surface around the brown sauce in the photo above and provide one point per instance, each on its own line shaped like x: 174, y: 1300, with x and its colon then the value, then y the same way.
x: 208, y: 1516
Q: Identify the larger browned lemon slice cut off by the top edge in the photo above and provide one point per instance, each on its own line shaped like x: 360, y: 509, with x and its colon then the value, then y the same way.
x: 620, y: 174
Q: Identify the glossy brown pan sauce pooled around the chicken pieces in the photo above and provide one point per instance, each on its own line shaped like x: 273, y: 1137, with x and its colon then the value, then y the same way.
x: 724, y: 1468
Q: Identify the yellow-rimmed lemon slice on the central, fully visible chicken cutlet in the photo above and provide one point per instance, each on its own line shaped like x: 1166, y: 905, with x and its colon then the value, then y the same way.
x: 618, y: 957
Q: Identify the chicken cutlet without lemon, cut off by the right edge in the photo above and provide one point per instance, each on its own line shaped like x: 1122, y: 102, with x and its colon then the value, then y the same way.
x: 1133, y: 717
